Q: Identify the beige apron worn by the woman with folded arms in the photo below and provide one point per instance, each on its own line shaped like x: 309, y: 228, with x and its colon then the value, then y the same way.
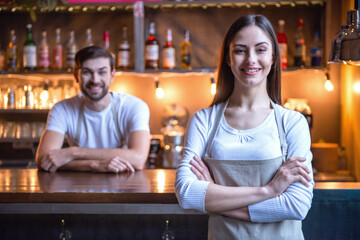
x: 251, y: 173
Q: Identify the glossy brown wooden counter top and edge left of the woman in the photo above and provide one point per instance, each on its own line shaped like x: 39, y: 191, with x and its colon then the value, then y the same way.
x: 142, y: 192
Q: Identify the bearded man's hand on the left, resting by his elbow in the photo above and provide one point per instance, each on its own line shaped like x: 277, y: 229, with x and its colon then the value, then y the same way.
x: 56, y: 158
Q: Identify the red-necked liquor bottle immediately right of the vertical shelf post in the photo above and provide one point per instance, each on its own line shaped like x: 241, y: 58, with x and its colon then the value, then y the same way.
x: 152, y: 50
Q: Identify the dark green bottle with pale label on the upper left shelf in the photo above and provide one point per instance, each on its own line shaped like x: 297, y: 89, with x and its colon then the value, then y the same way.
x: 29, y: 57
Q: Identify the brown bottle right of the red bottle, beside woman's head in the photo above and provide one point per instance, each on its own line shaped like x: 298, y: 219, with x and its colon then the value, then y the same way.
x: 300, y: 48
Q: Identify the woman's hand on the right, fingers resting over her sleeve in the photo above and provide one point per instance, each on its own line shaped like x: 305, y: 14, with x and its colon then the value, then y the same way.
x: 293, y: 170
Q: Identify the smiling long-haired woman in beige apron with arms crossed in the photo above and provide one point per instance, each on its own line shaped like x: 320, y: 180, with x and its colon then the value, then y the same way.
x: 247, y: 160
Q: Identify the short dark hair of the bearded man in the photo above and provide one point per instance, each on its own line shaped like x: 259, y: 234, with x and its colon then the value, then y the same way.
x: 93, y: 52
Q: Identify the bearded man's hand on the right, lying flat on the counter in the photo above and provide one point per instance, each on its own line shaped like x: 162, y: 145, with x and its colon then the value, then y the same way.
x: 115, y: 165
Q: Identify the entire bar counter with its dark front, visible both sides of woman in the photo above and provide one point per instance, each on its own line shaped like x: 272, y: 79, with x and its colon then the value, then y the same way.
x: 135, y: 206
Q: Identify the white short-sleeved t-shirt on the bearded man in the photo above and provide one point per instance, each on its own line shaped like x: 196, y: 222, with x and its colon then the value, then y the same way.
x: 98, y: 129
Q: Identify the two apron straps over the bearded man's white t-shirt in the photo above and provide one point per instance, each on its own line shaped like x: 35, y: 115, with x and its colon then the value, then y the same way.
x: 81, y: 118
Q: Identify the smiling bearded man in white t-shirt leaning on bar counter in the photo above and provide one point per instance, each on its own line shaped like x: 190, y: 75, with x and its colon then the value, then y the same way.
x: 106, y: 131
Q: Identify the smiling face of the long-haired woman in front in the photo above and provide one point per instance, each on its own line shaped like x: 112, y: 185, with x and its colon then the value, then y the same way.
x: 251, y: 56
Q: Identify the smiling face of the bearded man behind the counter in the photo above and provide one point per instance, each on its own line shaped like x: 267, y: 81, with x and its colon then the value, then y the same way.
x: 95, y: 77
